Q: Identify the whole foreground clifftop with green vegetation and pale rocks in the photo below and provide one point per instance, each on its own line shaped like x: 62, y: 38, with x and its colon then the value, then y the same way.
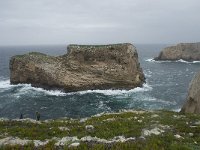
x: 123, y: 130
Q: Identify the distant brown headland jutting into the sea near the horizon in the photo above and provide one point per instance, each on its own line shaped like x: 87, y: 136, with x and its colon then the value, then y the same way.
x: 185, y: 51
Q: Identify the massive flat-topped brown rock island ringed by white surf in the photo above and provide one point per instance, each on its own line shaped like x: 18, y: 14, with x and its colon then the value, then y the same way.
x: 84, y: 67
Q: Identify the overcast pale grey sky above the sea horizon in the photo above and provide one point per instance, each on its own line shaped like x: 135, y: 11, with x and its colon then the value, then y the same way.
x: 35, y: 22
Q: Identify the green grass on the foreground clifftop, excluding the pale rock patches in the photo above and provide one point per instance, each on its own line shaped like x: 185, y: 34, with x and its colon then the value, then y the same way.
x: 107, y: 126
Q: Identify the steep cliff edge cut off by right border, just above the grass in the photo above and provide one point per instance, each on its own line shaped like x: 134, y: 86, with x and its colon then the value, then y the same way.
x: 192, y: 104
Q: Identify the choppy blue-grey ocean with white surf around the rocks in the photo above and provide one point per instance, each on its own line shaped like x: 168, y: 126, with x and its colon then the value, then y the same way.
x: 166, y: 88
